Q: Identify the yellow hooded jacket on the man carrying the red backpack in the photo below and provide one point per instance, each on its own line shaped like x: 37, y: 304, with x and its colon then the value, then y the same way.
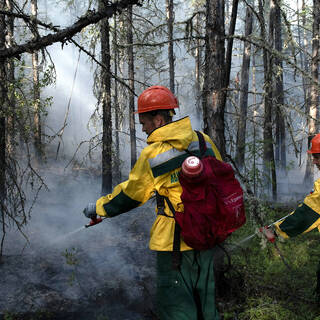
x: 157, y: 170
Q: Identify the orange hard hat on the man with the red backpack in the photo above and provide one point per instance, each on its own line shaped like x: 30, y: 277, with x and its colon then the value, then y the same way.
x: 156, y: 98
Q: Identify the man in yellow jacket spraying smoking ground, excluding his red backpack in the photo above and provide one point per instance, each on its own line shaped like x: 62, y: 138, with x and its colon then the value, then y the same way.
x: 186, y: 293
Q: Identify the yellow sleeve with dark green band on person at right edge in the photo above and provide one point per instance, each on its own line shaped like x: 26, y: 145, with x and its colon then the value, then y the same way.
x: 305, y: 218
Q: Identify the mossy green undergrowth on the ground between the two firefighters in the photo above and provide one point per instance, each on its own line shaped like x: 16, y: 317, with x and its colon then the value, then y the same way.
x: 272, y: 282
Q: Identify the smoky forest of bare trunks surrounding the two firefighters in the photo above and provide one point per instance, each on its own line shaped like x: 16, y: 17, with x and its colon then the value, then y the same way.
x: 246, y: 72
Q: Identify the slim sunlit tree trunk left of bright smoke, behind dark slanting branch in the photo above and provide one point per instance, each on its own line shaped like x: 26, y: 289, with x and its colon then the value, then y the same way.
x: 36, y: 88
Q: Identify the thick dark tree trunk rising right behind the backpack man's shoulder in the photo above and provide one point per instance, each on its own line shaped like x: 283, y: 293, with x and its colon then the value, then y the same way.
x: 214, y: 84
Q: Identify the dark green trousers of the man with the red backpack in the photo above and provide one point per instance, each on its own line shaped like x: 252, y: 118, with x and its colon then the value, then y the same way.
x: 187, y: 293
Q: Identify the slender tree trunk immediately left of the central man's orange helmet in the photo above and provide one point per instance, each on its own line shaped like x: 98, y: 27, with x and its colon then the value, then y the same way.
x: 133, y: 142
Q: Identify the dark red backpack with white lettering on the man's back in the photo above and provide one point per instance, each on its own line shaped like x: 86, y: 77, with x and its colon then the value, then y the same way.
x: 213, y: 204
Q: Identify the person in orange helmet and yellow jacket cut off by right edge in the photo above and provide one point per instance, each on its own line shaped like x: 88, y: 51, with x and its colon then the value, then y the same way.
x: 306, y: 216
